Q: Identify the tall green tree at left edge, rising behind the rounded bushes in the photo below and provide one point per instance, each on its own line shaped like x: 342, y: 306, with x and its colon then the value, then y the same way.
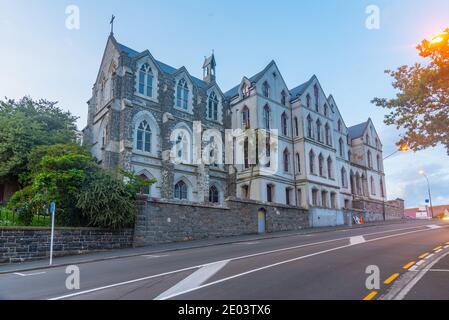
x: 25, y: 124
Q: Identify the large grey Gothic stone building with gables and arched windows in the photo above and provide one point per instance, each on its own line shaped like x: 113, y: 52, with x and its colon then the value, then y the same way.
x: 142, y: 109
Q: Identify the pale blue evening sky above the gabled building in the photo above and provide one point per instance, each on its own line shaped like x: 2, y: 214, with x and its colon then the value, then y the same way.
x: 42, y: 58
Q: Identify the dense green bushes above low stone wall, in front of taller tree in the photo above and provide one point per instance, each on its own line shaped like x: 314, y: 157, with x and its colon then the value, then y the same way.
x: 85, y: 194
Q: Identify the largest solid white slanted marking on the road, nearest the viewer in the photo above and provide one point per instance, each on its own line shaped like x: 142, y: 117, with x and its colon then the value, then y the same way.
x: 195, y: 280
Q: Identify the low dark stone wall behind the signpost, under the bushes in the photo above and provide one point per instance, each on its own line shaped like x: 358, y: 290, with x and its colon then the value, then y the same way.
x: 22, y: 244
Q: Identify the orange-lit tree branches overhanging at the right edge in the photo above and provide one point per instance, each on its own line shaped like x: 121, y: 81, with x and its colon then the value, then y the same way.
x: 421, y: 106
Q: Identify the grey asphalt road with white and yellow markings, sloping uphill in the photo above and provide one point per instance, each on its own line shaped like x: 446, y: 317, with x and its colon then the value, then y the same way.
x: 412, y: 260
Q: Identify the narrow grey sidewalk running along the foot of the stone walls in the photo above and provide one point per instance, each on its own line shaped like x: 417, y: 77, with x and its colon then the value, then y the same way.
x: 156, y: 249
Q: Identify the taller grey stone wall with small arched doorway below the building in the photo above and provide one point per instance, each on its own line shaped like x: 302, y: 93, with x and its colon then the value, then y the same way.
x: 167, y: 221
